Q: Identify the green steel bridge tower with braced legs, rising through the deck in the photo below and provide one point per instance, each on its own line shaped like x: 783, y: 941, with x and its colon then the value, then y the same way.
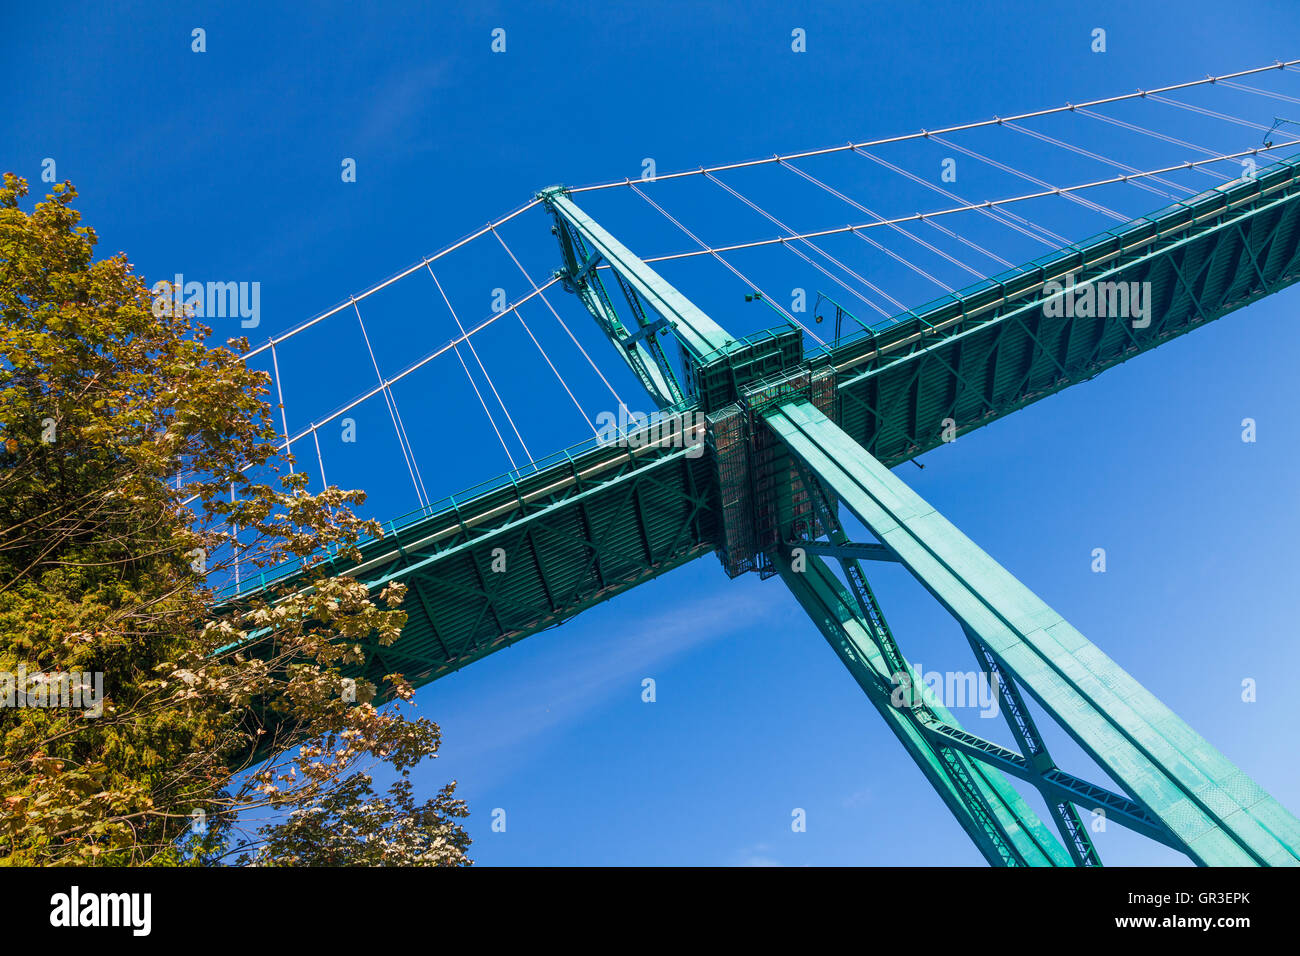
x: 783, y: 468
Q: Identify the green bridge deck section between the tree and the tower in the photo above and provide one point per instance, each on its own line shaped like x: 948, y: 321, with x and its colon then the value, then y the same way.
x: 591, y: 526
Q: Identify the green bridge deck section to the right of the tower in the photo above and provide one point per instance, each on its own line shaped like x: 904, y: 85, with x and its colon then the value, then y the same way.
x: 989, y: 351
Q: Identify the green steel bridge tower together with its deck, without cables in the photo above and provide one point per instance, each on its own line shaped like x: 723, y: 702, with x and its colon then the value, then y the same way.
x: 764, y: 445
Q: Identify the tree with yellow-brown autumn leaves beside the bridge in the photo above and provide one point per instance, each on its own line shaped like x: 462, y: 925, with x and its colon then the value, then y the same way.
x: 138, y: 464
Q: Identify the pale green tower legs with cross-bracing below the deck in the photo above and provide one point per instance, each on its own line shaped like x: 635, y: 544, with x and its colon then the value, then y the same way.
x: 1181, y: 790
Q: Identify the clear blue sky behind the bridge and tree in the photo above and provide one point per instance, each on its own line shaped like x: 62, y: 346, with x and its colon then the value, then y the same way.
x: 227, y: 166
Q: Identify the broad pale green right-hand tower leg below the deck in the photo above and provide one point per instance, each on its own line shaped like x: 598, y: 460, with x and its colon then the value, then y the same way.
x: 1208, y: 808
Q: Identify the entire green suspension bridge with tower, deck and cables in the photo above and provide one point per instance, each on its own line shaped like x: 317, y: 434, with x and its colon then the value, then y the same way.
x: 766, y: 440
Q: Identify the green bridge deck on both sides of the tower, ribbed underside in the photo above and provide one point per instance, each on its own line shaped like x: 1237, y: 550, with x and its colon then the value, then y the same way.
x: 603, y: 522
